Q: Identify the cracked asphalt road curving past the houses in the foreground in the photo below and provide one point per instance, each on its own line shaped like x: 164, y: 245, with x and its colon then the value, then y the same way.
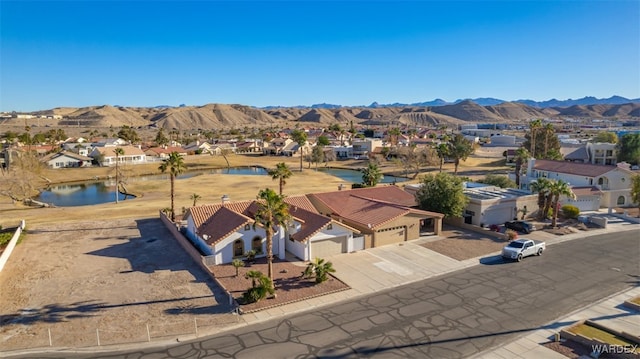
x: 452, y: 316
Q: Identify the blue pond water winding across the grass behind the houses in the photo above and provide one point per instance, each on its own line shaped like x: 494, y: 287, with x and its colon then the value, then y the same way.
x: 87, y: 193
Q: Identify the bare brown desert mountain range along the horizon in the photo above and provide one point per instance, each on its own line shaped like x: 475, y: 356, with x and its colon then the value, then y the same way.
x: 433, y: 113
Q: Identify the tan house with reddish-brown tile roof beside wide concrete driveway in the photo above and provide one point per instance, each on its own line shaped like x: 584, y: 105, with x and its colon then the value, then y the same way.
x: 384, y: 215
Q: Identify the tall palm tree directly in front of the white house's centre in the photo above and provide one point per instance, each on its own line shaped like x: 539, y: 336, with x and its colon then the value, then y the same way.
x: 272, y: 211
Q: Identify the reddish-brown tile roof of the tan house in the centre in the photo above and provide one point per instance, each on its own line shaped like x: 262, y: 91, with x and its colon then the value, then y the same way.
x: 372, y: 207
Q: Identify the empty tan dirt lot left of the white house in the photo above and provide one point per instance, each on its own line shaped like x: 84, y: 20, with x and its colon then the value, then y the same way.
x: 116, y: 276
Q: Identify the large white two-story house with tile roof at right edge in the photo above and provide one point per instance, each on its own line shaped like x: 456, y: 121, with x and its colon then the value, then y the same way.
x: 613, y: 182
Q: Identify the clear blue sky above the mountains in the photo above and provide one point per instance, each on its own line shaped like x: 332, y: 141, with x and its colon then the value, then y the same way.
x: 148, y: 53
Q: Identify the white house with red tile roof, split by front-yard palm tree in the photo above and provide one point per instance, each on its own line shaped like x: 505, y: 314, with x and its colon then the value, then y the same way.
x: 226, y: 231
